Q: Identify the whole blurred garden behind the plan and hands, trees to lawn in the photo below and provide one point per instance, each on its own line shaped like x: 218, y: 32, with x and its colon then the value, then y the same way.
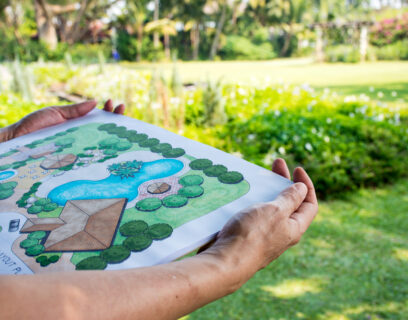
x: 322, y: 84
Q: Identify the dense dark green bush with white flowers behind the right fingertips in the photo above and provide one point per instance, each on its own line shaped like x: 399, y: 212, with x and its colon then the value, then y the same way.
x: 342, y: 154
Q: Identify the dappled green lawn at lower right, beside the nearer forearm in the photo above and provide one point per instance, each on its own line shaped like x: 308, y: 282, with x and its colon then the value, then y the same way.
x: 351, y: 264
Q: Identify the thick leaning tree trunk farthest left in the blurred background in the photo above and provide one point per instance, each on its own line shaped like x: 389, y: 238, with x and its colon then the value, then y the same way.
x: 45, y: 26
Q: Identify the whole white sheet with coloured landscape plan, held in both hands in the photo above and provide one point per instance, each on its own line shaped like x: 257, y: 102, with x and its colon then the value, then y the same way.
x: 110, y: 192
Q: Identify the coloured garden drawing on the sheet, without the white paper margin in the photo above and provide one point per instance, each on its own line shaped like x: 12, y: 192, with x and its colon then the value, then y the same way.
x: 95, y: 194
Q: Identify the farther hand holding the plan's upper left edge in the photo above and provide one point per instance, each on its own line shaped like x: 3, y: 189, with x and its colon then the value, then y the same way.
x: 50, y: 116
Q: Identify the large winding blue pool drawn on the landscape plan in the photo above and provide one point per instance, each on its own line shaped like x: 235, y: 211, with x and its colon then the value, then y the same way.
x: 114, y: 186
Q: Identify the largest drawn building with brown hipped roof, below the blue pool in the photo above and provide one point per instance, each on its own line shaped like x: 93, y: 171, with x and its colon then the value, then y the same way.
x: 82, y: 225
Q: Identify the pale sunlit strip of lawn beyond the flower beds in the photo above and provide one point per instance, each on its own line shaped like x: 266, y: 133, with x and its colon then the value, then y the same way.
x: 345, y: 78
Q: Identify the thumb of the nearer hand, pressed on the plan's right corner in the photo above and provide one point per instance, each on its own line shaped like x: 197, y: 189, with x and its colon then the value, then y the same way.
x: 290, y: 199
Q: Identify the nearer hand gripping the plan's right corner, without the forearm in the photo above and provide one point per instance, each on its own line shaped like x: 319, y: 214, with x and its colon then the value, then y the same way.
x: 256, y: 236
